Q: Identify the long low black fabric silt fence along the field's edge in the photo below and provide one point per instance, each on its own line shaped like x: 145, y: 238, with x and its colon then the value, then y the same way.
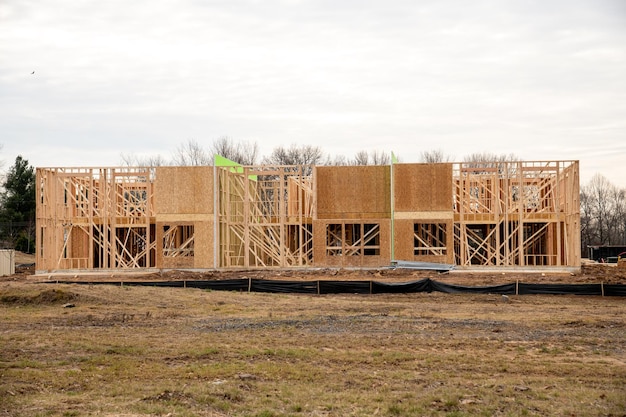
x: 374, y: 287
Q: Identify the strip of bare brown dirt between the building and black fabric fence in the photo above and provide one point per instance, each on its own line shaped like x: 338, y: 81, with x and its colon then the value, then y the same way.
x: 589, y: 273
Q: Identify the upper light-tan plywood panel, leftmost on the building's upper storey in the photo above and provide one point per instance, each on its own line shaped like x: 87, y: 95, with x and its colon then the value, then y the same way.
x: 184, y: 190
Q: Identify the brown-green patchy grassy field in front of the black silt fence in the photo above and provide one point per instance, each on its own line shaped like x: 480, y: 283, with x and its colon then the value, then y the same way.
x: 137, y: 351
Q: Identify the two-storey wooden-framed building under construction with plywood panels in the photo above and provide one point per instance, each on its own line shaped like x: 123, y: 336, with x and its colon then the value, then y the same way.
x: 500, y: 214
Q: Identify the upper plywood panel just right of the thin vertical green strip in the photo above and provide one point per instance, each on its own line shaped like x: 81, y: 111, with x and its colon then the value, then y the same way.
x: 422, y: 187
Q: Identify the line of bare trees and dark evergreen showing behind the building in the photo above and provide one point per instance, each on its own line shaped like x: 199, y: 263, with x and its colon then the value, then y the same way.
x: 602, y: 204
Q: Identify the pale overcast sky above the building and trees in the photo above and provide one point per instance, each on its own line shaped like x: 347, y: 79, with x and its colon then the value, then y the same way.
x: 542, y: 79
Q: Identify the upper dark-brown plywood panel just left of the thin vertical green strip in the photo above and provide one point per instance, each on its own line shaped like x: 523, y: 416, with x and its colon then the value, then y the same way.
x: 353, y: 192
